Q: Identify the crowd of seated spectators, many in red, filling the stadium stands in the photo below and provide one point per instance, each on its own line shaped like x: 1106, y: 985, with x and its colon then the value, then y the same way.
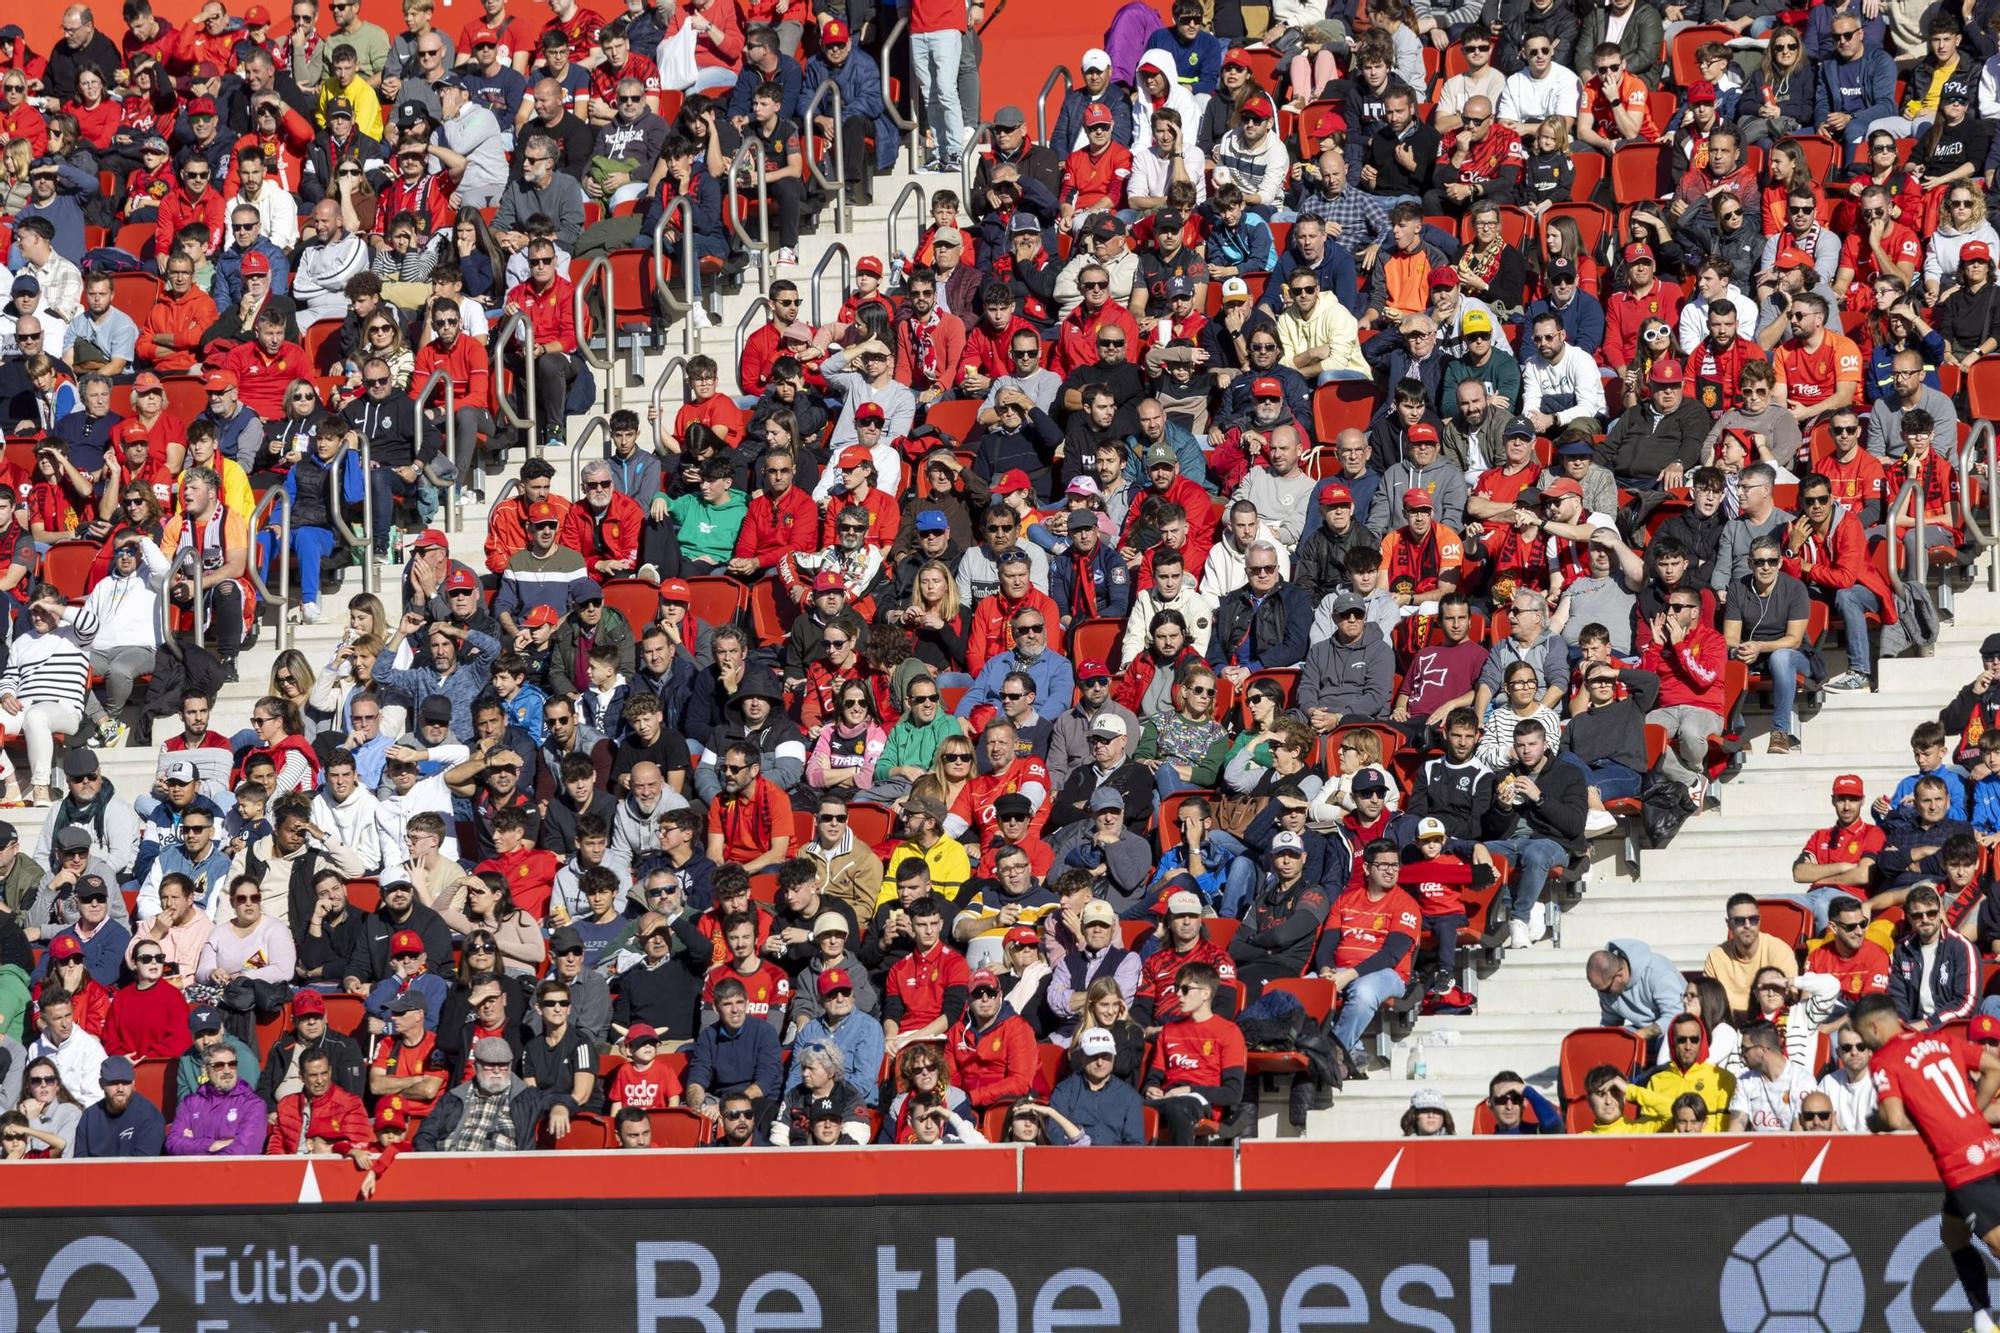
x: 1229, y: 569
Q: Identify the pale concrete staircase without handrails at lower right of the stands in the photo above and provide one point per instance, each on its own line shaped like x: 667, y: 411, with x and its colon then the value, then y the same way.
x: 1675, y: 904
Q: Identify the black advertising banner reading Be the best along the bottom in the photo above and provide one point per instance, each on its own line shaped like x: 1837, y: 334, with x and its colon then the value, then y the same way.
x: 1679, y: 1260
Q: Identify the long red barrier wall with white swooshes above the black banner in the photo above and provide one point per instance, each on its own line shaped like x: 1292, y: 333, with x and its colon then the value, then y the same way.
x: 877, y: 1174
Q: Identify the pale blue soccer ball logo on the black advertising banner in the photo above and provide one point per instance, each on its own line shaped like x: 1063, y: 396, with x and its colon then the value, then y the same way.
x: 1793, y: 1276
